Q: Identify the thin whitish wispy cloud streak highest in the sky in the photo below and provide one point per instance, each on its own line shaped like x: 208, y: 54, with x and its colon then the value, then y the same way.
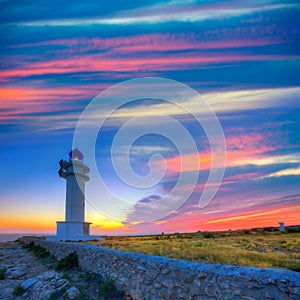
x: 162, y: 14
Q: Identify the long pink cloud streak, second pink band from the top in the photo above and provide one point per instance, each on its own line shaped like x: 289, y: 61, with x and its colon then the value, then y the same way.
x: 100, y: 63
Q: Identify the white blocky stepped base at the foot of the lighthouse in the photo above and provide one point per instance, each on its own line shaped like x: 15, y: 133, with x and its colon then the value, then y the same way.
x: 72, y: 231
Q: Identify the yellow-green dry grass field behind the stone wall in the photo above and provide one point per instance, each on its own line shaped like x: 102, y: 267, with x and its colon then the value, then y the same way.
x: 257, y: 248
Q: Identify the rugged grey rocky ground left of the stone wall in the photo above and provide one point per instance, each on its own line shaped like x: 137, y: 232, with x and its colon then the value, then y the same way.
x: 23, y: 275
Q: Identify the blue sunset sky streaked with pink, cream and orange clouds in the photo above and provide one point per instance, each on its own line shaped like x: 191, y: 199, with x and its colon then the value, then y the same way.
x: 240, y: 57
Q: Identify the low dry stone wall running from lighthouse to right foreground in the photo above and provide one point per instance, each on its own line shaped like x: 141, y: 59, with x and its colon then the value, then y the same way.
x: 154, y: 277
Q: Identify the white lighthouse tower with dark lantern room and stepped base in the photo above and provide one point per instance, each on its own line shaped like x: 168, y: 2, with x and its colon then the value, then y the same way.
x: 74, y: 228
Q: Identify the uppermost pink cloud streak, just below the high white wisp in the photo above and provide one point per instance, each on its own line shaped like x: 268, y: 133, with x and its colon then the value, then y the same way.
x: 216, y: 39
